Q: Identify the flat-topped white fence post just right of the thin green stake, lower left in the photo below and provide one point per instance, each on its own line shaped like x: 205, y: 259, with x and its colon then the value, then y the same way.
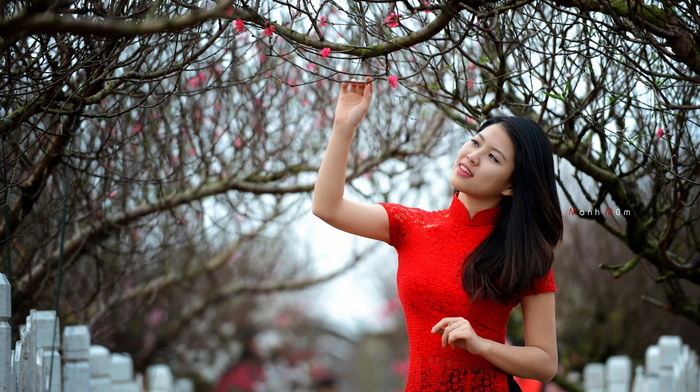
x: 76, y: 354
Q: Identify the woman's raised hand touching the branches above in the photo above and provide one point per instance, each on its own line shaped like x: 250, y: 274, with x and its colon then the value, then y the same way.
x: 353, y: 102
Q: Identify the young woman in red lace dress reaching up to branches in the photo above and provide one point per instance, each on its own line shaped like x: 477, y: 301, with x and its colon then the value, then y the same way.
x: 462, y: 270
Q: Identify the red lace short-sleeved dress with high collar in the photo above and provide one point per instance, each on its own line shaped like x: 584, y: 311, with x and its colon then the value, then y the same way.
x: 431, y: 248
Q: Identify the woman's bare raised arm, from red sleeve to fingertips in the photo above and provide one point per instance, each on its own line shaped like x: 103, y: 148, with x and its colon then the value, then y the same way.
x: 329, y: 204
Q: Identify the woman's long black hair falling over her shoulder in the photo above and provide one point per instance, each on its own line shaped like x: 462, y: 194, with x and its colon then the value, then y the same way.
x: 521, y: 245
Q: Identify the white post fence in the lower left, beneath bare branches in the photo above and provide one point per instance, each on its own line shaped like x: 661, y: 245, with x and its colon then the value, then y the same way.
x: 43, y: 360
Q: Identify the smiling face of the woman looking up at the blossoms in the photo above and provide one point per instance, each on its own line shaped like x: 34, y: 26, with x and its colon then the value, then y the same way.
x: 484, y: 165
